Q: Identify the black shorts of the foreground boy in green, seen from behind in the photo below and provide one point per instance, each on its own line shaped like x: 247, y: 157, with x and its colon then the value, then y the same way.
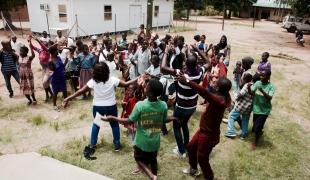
x: 145, y: 157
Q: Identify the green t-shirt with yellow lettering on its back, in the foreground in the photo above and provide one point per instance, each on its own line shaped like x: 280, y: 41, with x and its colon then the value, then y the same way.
x: 149, y: 117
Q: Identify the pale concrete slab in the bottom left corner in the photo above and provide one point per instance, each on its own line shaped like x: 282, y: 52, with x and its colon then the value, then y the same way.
x: 33, y: 166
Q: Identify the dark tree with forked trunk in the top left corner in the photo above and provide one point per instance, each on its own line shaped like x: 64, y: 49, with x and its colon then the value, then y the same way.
x: 8, y: 5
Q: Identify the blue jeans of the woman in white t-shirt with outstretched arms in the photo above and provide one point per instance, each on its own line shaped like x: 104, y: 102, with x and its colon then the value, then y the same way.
x: 106, y: 110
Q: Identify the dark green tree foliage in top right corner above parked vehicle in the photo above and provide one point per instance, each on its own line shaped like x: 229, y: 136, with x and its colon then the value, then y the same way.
x: 300, y: 7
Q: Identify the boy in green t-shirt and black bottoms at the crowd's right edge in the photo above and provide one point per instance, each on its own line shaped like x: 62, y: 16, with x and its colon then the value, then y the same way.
x: 263, y: 91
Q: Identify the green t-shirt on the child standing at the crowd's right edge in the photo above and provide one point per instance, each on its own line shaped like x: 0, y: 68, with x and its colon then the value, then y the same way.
x: 261, y: 105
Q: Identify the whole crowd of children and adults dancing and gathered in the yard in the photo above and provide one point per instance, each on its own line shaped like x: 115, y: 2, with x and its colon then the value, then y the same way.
x: 156, y: 74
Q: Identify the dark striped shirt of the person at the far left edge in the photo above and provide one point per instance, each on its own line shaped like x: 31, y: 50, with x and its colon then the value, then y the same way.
x: 8, y: 62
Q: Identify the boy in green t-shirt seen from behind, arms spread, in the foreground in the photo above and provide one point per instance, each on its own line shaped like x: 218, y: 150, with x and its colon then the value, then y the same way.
x: 149, y: 115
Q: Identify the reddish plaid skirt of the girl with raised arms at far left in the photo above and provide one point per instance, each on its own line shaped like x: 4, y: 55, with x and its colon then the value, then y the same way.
x: 26, y: 81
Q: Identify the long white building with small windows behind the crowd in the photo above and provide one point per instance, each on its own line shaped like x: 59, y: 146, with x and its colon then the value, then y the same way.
x: 95, y: 16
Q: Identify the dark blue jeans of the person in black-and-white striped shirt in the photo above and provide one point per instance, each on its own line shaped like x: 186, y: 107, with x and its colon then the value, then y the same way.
x: 183, y: 116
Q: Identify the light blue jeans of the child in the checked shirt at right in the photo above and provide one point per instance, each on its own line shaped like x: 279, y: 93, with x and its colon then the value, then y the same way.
x: 234, y: 116
